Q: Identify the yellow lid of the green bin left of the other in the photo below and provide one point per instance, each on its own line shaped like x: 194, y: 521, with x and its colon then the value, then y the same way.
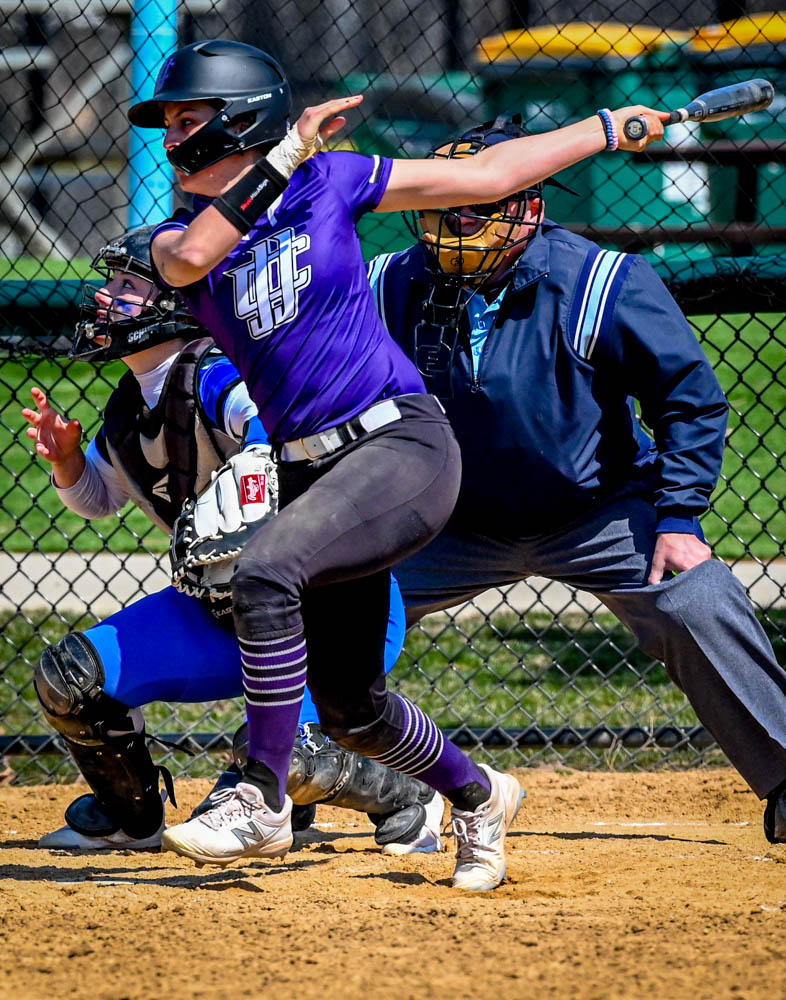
x: 585, y: 38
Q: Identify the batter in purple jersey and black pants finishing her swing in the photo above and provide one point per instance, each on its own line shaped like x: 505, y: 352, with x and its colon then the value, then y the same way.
x: 269, y: 262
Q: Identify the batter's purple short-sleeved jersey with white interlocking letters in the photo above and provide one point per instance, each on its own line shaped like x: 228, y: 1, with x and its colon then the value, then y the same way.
x: 292, y: 307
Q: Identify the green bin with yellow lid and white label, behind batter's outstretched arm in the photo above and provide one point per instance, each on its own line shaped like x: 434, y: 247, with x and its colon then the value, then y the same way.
x: 557, y: 74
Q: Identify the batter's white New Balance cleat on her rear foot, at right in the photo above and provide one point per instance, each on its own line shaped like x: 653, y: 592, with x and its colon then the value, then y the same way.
x: 480, y: 857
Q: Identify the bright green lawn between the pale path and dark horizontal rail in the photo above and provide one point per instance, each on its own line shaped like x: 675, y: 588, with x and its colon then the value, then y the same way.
x: 748, y: 519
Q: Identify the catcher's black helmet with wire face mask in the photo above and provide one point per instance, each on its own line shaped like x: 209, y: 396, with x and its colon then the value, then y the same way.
x: 132, y: 322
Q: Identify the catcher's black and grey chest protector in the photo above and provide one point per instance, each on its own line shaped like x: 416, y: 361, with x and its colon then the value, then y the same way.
x: 166, y: 454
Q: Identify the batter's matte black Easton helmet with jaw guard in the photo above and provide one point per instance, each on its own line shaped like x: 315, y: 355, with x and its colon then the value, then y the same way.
x: 241, y: 80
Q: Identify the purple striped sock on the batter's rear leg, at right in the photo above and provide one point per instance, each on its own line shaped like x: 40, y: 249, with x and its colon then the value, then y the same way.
x: 422, y: 750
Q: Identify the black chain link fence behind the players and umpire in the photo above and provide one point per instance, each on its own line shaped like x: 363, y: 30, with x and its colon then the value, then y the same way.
x: 533, y: 673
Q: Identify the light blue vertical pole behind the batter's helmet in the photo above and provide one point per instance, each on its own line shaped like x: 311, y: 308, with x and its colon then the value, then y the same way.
x: 153, y: 37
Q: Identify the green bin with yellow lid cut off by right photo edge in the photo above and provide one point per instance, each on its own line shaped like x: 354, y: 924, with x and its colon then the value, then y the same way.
x: 730, y: 52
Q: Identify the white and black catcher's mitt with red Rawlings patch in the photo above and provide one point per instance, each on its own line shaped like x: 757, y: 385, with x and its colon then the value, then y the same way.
x: 212, y: 529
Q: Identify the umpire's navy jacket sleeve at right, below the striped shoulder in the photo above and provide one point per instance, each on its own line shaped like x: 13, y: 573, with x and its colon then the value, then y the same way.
x: 662, y: 365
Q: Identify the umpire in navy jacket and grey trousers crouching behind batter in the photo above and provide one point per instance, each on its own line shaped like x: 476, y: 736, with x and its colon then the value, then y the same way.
x: 538, y: 342
